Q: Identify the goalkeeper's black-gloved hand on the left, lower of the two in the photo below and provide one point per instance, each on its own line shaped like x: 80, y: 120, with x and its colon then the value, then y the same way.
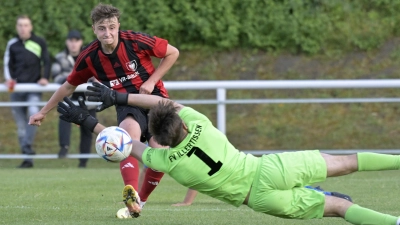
x: 76, y: 114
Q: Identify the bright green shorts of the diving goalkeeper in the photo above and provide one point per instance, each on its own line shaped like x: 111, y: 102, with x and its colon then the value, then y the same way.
x: 278, y: 187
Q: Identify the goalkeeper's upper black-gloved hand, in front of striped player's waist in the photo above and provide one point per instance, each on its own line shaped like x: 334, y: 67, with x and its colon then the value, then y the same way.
x: 109, y: 97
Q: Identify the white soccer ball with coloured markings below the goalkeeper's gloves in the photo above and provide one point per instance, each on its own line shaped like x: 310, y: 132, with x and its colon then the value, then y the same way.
x: 113, y: 144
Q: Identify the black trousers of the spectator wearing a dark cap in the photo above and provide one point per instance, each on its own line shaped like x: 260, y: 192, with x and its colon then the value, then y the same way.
x: 64, y: 135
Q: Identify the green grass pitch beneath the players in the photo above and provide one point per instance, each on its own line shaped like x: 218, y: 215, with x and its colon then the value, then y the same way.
x: 57, y: 192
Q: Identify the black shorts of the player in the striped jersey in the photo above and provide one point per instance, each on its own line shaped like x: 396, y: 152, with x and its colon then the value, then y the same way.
x: 139, y: 114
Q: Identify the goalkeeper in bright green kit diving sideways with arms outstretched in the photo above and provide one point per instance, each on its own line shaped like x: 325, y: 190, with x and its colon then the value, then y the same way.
x: 200, y: 157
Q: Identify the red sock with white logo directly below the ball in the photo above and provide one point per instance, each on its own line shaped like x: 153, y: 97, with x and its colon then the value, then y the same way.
x: 130, y: 171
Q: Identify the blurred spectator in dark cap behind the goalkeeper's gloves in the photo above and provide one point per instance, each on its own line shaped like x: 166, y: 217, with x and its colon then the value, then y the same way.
x: 61, y: 68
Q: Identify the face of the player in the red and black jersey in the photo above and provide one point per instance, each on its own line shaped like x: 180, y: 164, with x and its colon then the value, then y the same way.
x: 107, y: 31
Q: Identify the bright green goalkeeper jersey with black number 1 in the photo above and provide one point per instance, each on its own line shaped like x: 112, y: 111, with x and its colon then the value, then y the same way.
x: 206, y: 161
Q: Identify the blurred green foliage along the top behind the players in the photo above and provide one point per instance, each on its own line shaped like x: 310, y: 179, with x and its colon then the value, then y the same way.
x: 299, y: 26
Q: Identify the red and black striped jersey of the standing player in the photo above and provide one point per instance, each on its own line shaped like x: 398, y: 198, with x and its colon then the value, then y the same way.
x: 124, y: 70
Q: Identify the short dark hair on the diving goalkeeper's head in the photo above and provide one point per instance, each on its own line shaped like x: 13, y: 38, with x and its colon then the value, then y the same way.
x: 165, y: 124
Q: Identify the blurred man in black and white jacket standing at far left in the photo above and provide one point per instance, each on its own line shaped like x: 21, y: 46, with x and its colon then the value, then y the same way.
x: 23, y: 59
